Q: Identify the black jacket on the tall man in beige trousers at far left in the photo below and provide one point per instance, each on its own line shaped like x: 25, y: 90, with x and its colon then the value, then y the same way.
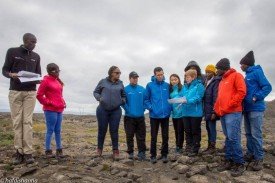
x: 21, y: 59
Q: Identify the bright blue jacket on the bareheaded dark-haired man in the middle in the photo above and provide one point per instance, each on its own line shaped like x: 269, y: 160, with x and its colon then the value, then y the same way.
x: 156, y: 99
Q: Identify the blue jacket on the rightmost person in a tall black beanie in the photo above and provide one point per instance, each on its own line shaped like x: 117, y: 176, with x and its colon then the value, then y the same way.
x: 257, y: 86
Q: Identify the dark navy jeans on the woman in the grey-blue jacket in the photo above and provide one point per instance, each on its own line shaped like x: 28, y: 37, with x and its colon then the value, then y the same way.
x: 105, y: 118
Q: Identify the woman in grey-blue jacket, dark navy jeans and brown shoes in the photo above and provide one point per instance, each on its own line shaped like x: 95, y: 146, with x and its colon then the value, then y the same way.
x: 111, y: 95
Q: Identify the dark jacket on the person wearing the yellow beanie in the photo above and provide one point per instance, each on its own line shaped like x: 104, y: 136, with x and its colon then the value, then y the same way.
x: 210, y: 96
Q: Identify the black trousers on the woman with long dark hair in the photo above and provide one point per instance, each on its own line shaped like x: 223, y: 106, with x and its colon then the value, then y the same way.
x: 179, y: 131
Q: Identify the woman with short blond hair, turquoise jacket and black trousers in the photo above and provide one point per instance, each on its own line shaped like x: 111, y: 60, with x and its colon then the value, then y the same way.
x: 193, y: 91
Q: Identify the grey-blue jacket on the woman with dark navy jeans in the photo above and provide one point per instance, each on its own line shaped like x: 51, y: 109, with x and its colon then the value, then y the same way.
x: 111, y: 95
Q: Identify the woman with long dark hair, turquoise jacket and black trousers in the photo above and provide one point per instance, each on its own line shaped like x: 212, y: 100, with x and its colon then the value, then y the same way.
x: 176, y: 92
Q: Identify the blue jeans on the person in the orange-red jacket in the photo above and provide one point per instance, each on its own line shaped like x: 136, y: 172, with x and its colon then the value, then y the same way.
x: 231, y: 126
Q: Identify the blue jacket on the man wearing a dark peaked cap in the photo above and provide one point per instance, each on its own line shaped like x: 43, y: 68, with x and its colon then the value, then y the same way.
x: 135, y: 95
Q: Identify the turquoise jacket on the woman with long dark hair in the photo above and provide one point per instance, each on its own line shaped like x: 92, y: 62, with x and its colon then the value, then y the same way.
x: 177, y: 110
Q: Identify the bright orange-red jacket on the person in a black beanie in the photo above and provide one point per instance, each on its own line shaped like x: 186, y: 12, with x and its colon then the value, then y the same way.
x: 231, y: 92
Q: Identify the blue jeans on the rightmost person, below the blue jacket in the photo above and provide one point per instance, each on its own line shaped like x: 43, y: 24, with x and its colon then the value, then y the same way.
x: 253, y: 122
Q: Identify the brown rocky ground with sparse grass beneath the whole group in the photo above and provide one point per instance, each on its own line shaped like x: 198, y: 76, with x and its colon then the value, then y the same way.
x: 81, y: 164
